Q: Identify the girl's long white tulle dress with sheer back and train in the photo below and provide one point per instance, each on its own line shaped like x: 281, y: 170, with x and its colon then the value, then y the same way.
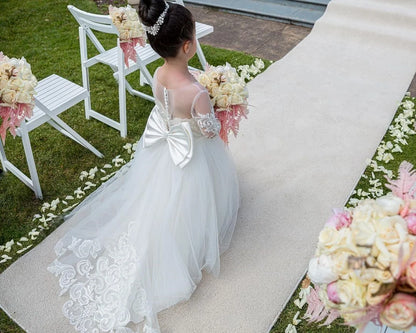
x: 140, y: 241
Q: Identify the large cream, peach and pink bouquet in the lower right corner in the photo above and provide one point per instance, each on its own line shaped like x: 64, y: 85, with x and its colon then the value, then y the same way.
x: 364, y: 267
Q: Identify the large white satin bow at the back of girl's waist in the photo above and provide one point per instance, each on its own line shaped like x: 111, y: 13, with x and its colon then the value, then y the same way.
x: 178, y: 136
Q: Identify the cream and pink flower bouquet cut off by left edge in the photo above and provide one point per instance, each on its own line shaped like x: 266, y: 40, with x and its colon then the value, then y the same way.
x: 17, y: 85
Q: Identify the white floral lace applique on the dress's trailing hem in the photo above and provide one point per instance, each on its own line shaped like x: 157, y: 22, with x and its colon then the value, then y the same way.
x: 99, y: 288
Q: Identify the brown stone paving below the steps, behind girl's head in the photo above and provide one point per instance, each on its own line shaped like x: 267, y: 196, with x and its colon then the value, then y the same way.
x: 262, y: 38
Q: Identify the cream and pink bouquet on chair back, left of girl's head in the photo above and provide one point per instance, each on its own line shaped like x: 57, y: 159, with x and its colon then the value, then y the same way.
x: 130, y: 30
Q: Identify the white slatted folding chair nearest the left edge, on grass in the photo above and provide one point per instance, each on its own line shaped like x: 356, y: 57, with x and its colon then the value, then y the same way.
x: 54, y: 95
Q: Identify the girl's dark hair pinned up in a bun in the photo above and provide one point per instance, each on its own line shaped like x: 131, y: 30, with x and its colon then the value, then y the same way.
x: 177, y: 27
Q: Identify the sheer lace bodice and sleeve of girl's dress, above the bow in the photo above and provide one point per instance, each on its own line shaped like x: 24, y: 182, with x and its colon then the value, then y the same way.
x: 190, y: 103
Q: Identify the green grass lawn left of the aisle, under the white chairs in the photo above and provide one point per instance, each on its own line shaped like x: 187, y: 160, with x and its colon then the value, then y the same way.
x: 46, y: 34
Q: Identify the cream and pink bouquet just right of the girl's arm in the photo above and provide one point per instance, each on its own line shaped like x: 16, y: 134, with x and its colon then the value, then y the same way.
x: 228, y: 94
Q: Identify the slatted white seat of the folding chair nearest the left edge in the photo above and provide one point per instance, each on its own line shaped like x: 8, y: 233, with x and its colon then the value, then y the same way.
x: 57, y: 95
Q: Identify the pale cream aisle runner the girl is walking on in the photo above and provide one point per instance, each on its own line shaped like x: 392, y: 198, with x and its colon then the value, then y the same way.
x: 319, y: 113
